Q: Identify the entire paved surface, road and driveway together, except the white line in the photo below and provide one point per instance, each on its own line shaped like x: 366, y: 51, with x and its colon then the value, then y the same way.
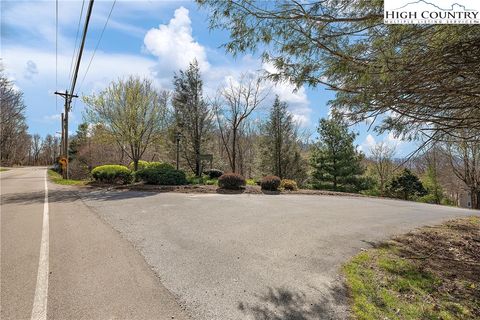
x: 213, y: 256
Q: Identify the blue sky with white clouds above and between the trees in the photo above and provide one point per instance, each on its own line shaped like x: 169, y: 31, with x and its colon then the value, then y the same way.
x: 147, y: 38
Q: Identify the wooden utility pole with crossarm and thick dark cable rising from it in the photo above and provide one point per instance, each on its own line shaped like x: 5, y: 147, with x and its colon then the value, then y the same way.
x: 68, y: 96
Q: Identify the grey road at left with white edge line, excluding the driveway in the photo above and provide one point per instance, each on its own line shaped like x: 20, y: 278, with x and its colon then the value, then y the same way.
x: 93, y: 273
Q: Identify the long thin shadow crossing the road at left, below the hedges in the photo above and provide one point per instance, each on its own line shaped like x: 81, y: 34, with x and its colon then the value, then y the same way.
x: 71, y: 196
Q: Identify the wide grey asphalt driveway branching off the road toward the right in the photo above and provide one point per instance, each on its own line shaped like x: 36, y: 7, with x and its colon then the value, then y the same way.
x: 257, y: 256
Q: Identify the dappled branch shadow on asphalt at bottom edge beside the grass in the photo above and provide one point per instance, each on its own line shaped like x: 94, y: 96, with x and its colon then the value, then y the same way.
x: 285, y: 304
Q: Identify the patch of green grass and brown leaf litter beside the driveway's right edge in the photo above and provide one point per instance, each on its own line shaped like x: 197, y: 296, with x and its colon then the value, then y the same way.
x: 432, y: 273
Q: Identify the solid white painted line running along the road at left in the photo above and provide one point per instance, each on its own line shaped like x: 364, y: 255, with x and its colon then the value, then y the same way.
x: 39, y: 311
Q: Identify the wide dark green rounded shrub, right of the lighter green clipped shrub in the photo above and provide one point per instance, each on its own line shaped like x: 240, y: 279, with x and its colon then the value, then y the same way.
x: 162, y: 175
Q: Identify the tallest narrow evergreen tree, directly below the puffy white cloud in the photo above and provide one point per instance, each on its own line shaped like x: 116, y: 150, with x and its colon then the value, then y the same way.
x: 192, y: 114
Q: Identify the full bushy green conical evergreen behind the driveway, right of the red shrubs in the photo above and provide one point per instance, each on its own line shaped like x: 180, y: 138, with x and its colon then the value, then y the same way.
x: 336, y: 162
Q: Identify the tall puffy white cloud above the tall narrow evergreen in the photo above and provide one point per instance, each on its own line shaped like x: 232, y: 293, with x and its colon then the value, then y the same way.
x: 174, y: 45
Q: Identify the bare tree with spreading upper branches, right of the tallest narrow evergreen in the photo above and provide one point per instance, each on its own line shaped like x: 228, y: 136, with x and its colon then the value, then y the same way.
x: 237, y: 101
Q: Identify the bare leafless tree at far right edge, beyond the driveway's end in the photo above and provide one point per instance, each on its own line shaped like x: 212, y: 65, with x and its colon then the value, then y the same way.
x: 464, y: 158
